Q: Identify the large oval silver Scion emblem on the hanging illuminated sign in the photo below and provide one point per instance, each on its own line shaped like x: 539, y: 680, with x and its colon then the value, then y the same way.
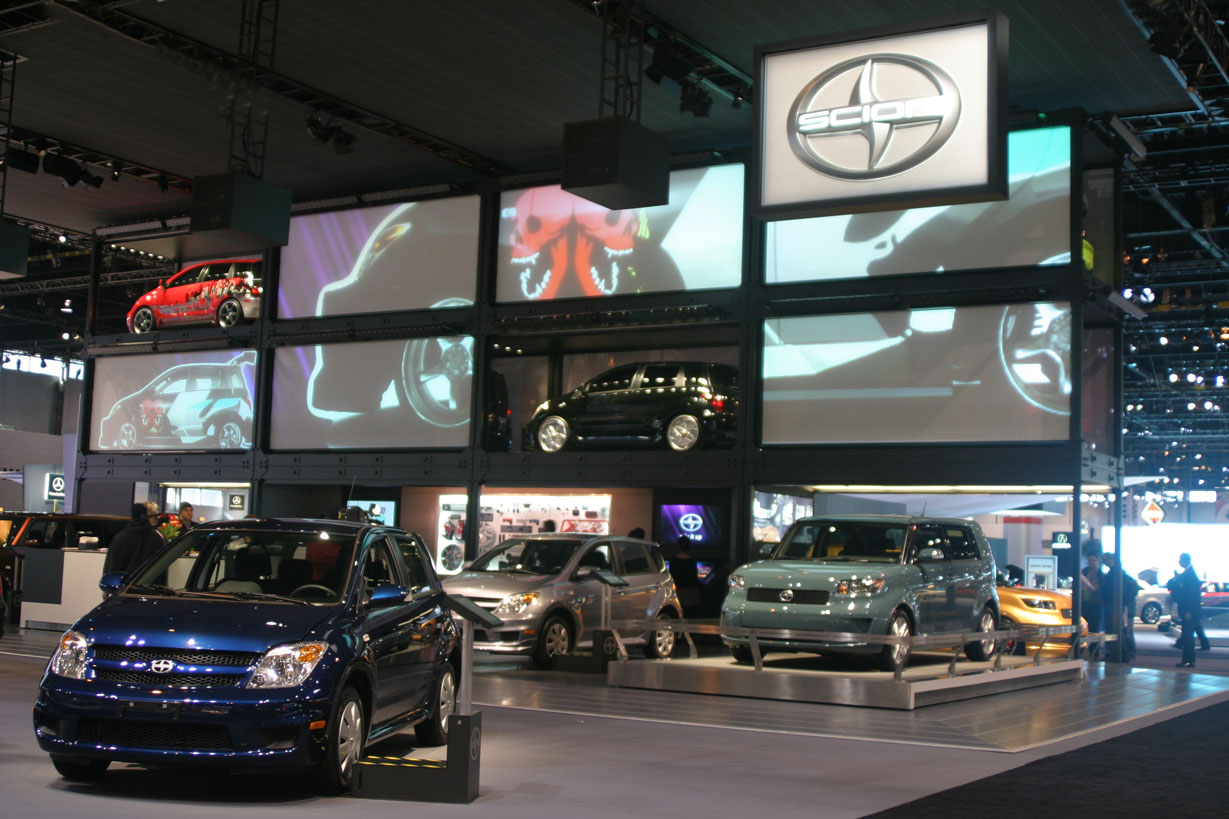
x: 892, y: 93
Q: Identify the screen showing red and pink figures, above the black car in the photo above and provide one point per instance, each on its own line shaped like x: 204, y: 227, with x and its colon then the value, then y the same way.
x: 556, y: 245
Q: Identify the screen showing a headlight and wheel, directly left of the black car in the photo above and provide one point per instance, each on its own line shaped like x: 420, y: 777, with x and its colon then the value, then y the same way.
x: 404, y: 394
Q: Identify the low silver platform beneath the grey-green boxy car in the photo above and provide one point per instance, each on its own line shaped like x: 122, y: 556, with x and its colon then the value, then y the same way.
x: 804, y: 678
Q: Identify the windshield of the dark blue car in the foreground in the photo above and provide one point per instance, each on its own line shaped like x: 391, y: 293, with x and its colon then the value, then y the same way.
x: 299, y: 566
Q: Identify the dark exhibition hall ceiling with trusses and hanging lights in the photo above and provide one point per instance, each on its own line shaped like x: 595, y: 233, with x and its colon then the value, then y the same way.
x: 454, y: 93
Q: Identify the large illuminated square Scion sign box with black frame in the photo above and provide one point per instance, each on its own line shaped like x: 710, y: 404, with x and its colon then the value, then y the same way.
x: 883, y: 119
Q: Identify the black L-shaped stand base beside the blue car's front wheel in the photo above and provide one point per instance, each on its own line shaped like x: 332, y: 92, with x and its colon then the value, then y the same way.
x: 427, y: 780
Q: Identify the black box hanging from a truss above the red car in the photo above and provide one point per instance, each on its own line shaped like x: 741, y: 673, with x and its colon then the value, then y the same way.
x: 240, y: 212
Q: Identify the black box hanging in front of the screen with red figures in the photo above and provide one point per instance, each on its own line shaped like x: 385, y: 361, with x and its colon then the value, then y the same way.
x: 616, y: 163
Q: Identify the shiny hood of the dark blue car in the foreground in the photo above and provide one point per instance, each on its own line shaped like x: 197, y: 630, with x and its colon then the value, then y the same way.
x: 206, y: 625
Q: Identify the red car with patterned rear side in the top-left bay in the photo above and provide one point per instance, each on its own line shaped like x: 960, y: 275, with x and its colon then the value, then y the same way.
x: 222, y: 293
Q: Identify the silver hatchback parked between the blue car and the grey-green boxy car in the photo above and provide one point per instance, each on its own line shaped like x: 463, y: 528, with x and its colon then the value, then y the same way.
x: 543, y: 588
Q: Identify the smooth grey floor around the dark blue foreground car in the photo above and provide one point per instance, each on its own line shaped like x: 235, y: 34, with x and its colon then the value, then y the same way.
x: 540, y: 763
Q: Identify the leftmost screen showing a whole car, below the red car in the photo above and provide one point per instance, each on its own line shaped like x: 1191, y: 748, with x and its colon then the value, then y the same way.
x: 181, y: 402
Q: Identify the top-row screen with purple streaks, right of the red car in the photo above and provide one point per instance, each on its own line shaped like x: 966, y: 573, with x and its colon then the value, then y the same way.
x: 410, y: 256
